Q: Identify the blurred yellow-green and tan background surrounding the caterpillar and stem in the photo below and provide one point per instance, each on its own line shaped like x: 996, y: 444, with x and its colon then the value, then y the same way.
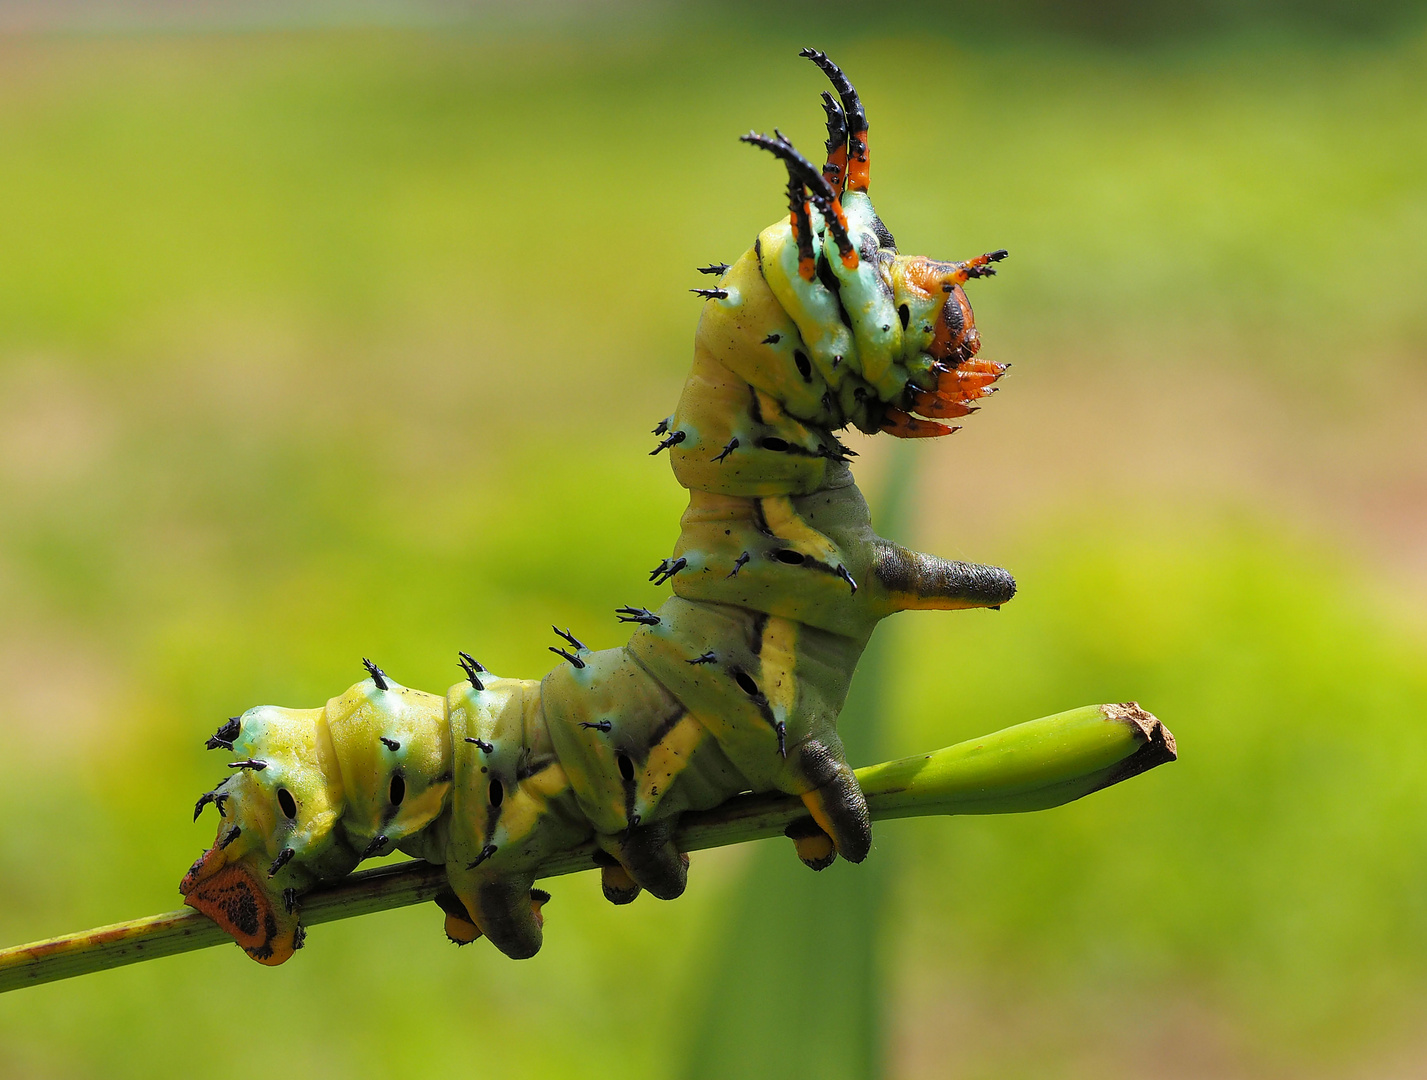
x: 337, y: 332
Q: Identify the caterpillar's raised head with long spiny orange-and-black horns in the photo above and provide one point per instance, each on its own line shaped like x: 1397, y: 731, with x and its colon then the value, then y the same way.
x: 891, y: 335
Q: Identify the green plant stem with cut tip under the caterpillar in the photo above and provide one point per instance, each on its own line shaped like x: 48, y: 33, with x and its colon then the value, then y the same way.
x: 1031, y: 767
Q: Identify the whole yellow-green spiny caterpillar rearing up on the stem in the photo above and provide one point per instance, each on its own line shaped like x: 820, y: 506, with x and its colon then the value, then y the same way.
x: 733, y: 686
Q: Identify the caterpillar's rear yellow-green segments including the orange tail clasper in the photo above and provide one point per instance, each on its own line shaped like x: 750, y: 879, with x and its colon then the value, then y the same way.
x: 313, y: 793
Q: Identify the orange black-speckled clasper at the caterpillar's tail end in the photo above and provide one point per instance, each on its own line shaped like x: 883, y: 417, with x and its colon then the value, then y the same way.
x: 239, y: 901
